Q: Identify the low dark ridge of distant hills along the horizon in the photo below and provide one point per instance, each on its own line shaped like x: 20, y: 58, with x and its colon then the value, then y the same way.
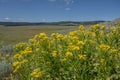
x: 64, y: 23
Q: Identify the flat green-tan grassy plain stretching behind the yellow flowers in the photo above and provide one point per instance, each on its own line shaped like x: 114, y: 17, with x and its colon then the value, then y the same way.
x: 14, y: 34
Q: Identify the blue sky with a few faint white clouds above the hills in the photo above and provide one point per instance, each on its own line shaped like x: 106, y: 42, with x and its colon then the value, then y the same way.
x: 58, y: 10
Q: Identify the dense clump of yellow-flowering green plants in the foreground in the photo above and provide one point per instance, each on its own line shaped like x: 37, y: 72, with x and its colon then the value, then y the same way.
x: 83, y: 54
